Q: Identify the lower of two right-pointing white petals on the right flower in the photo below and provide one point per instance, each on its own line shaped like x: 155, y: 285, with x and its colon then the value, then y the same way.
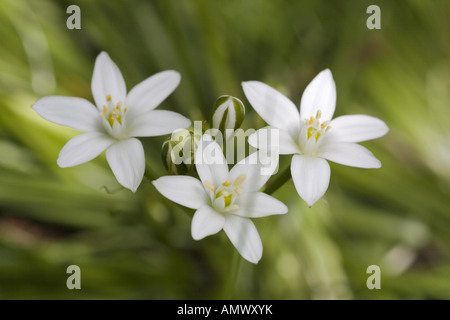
x: 349, y: 154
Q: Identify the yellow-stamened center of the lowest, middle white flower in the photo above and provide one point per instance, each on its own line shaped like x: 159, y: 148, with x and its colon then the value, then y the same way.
x: 224, y: 197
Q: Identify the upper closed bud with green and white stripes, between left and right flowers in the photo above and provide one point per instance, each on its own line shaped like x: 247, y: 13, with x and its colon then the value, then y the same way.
x: 228, y: 113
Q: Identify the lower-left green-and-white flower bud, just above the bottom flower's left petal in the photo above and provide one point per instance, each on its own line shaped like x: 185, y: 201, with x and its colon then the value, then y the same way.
x: 178, y: 152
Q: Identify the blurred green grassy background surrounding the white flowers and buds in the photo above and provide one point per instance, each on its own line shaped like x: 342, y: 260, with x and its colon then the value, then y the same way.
x: 138, y: 246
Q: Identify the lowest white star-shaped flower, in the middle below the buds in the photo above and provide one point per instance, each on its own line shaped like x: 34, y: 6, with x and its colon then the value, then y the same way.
x: 224, y: 199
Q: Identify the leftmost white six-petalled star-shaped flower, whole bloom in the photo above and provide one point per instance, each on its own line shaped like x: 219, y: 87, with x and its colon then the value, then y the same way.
x: 115, y: 121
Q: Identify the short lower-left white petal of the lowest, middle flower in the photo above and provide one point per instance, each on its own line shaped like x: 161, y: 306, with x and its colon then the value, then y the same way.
x: 206, y: 222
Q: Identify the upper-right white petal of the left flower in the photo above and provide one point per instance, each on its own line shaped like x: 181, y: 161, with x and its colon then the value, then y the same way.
x: 148, y: 94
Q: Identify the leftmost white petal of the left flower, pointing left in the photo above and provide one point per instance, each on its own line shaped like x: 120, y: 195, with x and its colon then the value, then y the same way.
x: 76, y: 113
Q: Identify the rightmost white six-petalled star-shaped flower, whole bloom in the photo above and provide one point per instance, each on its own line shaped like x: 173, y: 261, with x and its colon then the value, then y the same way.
x: 311, y: 135
